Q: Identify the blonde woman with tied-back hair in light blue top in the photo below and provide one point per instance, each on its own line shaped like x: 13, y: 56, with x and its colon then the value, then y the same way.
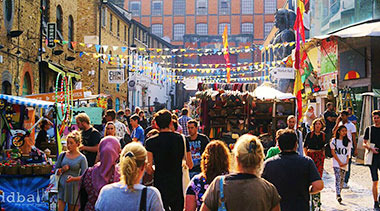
x: 129, y: 194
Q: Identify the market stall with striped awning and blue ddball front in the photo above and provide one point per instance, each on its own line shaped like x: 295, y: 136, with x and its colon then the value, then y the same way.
x: 24, y: 169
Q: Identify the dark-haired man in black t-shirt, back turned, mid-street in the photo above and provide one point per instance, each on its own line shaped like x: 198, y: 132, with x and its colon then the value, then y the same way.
x: 166, y: 151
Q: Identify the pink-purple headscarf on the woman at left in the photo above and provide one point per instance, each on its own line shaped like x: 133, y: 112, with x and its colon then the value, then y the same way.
x: 109, y: 152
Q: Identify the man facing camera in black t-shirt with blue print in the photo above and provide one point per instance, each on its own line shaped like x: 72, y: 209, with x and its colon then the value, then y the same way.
x: 198, y: 143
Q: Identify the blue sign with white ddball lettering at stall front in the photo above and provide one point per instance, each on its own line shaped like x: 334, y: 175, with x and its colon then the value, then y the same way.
x: 23, y: 193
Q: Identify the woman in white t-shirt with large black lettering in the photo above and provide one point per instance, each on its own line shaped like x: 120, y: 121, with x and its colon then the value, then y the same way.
x: 341, y: 151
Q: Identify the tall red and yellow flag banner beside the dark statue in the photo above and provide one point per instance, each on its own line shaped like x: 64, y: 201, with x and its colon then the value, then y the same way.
x: 300, y: 33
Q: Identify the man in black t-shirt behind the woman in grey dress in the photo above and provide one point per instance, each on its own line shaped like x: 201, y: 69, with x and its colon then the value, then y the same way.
x: 90, y: 138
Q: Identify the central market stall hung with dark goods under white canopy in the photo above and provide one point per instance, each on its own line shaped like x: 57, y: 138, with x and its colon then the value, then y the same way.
x: 229, y: 113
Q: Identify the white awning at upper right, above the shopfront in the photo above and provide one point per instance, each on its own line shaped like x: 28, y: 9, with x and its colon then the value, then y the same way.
x: 371, y: 29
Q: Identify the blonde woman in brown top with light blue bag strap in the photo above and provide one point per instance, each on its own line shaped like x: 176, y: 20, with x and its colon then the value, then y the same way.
x: 244, y: 190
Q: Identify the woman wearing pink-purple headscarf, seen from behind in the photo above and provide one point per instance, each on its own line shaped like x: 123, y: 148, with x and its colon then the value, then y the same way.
x: 102, y: 173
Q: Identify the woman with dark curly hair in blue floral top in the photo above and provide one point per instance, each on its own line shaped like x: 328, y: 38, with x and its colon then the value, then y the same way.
x: 215, y: 161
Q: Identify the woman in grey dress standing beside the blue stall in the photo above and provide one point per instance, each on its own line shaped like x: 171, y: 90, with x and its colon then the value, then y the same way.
x: 70, y: 165
